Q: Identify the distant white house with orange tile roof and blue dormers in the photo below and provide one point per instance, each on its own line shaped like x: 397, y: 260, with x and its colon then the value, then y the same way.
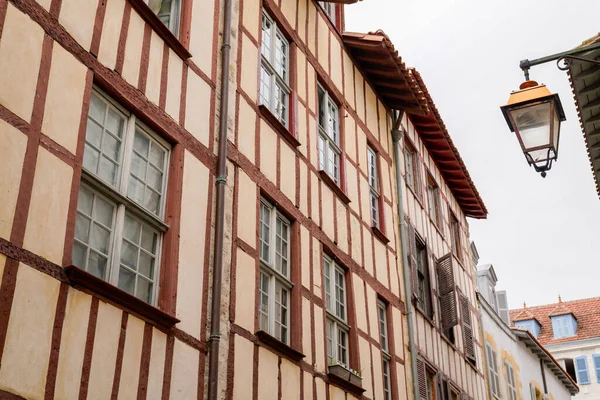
x: 571, y: 332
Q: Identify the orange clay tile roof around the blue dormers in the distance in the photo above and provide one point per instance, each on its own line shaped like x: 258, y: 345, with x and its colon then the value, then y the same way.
x: 586, y: 311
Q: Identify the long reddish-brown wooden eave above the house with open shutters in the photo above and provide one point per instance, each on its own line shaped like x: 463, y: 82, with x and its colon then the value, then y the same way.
x: 435, y: 136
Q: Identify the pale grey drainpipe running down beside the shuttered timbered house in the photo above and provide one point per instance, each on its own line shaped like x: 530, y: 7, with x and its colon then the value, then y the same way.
x: 397, y: 135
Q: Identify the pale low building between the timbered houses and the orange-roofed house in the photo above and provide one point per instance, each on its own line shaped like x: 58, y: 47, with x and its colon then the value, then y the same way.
x: 517, y: 365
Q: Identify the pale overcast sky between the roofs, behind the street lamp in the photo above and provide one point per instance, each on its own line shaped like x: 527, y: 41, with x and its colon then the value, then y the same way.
x: 541, y: 235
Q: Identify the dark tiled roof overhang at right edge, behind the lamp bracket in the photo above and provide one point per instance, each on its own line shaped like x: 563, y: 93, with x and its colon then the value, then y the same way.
x: 585, y: 85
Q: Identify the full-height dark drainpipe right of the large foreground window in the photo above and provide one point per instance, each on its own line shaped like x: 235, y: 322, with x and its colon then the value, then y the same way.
x: 221, y: 180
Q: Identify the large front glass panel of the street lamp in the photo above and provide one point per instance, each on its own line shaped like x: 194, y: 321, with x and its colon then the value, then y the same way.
x: 532, y: 124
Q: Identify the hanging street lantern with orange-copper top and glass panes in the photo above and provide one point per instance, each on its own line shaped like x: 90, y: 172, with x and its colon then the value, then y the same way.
x: 534, y: 115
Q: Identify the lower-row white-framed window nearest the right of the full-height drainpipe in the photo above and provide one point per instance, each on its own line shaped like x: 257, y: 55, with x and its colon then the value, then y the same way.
x: 277, y: 277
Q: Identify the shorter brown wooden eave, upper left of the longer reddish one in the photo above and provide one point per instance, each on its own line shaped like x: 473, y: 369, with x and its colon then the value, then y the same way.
x: 378, y: 59
